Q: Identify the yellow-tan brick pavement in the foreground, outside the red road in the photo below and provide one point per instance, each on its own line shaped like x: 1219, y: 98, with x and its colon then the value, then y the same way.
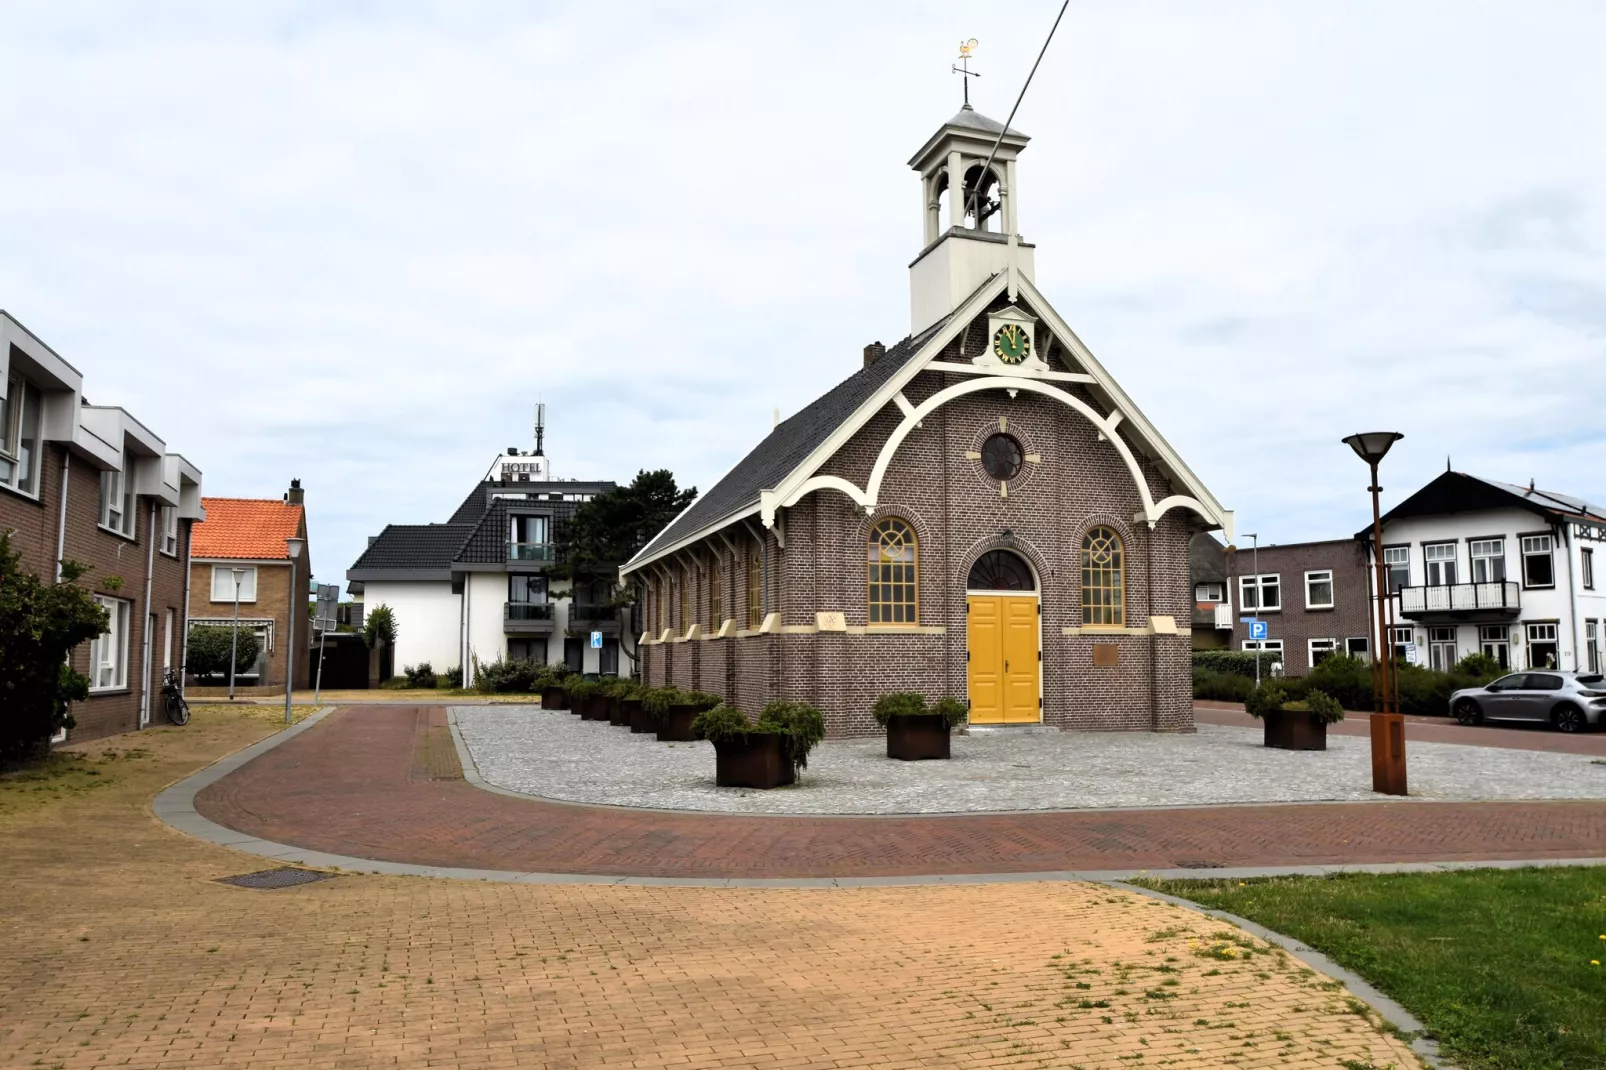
x: 124, y: 952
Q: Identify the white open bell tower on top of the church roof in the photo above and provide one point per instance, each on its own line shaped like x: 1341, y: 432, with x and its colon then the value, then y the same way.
x: 969, y: 214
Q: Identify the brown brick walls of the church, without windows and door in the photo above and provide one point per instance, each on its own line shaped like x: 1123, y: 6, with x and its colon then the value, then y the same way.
x: 958, y: 513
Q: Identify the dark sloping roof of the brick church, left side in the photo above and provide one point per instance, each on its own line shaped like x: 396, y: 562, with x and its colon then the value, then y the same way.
x: 789, y: 446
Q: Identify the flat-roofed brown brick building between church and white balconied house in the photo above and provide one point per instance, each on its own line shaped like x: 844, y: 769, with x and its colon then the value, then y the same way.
x: 1313, y: 597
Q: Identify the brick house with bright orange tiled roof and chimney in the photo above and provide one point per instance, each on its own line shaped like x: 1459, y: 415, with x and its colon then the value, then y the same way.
x: 250, y: 534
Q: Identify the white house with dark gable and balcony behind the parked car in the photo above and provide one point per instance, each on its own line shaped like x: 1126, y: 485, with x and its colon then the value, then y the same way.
x: 1509, y: 571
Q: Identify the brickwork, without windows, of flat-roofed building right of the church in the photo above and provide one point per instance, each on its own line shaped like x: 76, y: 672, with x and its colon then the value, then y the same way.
x: 1298, y: 624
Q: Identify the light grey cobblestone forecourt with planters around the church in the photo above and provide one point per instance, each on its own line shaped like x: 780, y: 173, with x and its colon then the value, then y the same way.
x: 556, y: 756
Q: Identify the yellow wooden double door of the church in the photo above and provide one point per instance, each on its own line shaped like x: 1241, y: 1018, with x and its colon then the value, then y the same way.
x: 1005, y: 660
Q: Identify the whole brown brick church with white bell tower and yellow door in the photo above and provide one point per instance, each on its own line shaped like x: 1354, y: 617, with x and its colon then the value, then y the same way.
x: 977, y: 512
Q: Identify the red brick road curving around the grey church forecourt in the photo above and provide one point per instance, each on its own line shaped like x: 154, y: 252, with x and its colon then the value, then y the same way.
x: 362, y: 785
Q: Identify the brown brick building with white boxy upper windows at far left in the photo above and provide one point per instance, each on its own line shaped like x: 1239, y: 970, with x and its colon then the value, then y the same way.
x: 96, y: 486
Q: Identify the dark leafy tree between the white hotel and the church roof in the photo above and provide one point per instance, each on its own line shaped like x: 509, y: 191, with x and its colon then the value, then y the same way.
x: 613, y: 528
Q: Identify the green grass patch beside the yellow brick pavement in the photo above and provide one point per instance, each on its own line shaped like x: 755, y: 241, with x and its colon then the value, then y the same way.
x: 1499, y: 965
